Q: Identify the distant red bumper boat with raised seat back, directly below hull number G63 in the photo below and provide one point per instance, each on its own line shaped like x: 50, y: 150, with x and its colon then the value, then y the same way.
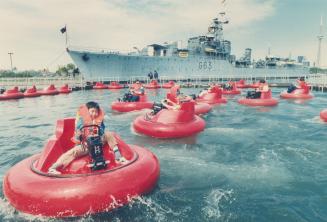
x: 212, y: 96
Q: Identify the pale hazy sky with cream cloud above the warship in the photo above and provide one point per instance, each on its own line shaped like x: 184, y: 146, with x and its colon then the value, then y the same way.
x: 31, y: 28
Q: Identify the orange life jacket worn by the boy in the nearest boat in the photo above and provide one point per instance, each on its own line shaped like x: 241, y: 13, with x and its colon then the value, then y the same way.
x: 83, y: 113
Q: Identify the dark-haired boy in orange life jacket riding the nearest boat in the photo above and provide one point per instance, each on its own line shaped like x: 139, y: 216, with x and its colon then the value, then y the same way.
x: 88, y: 114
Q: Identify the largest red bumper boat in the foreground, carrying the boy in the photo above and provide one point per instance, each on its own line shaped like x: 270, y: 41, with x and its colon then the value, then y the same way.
x: 79, y: 190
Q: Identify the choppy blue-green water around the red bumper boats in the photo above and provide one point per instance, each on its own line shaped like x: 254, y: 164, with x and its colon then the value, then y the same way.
x: 250, y: 164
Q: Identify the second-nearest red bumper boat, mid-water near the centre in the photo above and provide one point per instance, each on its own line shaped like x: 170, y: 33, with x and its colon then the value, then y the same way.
x: 170, y: 123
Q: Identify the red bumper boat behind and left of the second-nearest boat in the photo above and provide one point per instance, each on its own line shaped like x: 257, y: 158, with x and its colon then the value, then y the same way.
x: 121, y: 106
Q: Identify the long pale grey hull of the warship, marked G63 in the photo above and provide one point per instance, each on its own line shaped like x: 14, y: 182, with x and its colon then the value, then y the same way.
x: 97, y: 65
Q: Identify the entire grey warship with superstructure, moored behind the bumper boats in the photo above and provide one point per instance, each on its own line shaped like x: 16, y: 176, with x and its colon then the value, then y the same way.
x: 206, y: 55
